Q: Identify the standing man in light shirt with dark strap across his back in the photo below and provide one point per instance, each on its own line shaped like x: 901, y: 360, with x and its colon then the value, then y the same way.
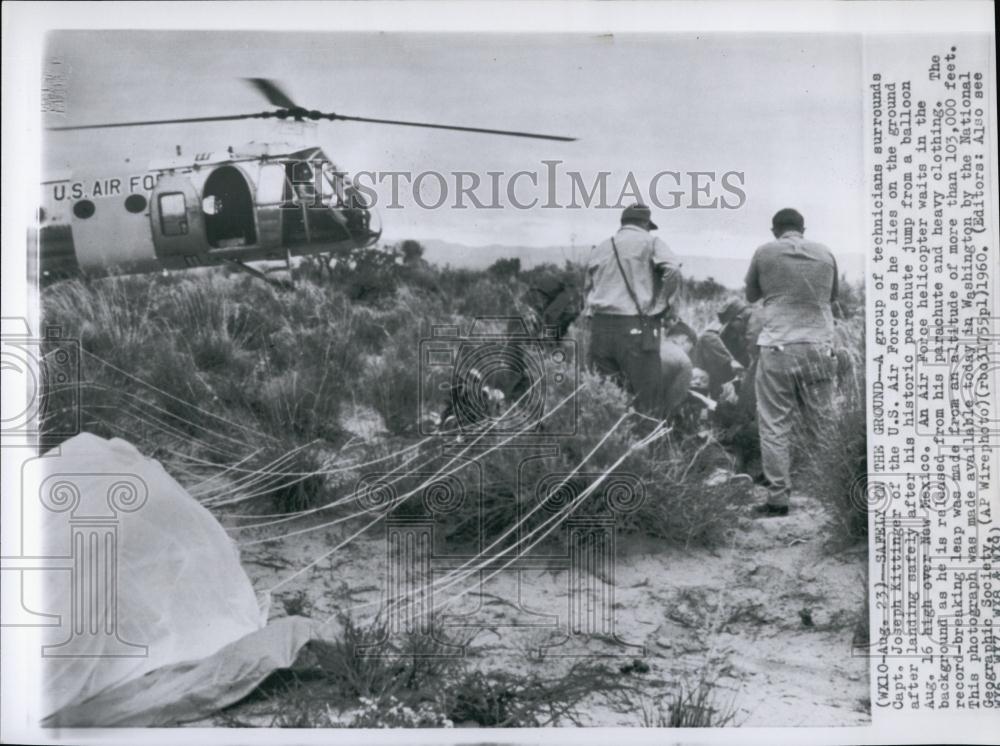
x: 630, y: 280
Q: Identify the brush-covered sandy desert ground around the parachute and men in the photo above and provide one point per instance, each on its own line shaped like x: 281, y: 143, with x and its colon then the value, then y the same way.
x: 267, y: 404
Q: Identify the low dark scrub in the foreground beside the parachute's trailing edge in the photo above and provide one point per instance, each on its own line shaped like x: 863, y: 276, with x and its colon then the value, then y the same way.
x: 334, y: 685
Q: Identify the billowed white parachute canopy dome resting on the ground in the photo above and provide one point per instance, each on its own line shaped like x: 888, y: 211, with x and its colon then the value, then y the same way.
x: 139, y: 576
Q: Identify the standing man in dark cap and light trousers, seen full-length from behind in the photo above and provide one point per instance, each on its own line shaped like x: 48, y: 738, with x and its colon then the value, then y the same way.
x: 797, y: 281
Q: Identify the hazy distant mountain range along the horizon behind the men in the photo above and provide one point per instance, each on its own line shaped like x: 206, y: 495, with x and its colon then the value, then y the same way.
x: 728, y: 271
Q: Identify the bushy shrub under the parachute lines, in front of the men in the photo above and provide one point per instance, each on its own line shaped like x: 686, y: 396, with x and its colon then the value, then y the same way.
x: 686, y: 501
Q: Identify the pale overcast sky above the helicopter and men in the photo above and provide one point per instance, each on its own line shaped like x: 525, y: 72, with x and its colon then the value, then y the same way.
x: 782, y: 110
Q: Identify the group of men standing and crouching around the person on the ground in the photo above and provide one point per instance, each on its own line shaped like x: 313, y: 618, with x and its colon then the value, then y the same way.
x: 767, y: 364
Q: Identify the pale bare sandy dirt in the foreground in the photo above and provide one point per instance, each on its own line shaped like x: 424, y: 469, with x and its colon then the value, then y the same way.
x: 769, y: 617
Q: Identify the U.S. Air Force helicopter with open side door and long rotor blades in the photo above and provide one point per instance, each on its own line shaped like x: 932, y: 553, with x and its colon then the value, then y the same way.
x: 255, y: 202
